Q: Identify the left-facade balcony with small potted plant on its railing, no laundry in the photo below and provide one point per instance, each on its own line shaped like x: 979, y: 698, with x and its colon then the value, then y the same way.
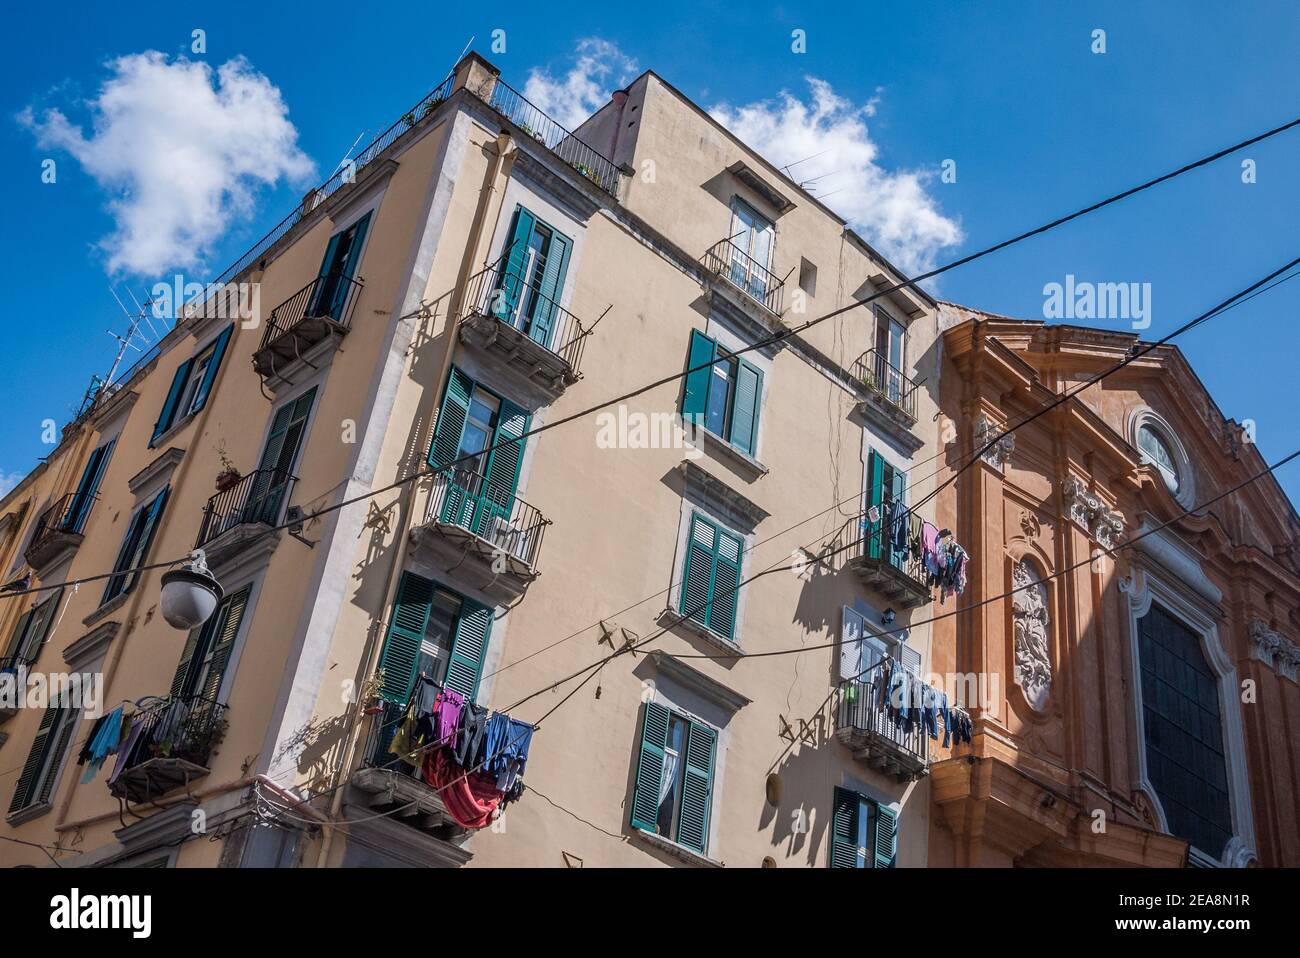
x: 244, y: 518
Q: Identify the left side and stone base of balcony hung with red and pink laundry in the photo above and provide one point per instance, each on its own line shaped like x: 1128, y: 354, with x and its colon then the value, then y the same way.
x: 393, y: 786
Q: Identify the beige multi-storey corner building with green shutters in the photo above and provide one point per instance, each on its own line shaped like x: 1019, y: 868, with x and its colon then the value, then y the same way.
x: 346, y: 460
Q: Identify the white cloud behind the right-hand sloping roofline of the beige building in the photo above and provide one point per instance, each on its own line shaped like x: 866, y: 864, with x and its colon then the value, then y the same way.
x: 892, y: 210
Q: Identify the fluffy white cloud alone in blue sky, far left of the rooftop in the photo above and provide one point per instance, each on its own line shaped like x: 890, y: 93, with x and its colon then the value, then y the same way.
x: 180, y: 149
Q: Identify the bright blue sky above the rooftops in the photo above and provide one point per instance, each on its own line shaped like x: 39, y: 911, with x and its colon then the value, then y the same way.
x: 1035, y: 122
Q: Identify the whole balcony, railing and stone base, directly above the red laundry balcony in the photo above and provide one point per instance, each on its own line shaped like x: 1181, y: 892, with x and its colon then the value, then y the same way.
x: 480, y: 530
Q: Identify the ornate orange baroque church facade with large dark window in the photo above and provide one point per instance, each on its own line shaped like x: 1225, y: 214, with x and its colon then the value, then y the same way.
x: 1139, y: 710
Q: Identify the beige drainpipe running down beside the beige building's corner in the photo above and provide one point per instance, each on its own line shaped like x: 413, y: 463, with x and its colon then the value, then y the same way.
x: 504, y: 150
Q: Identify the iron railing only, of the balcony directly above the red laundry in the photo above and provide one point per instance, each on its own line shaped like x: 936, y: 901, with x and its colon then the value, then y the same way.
x: 488, y: 510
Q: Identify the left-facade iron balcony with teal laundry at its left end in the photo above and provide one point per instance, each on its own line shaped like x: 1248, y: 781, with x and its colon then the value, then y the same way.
x: 174, y: 749
